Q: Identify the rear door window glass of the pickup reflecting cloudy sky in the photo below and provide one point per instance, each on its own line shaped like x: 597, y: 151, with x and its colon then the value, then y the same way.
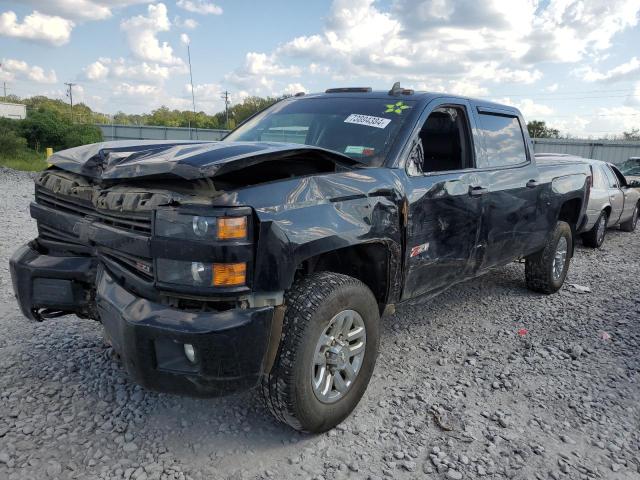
x: 503, y: 140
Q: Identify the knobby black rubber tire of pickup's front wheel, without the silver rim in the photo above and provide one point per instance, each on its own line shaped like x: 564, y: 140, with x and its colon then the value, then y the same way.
x: 312, y: 304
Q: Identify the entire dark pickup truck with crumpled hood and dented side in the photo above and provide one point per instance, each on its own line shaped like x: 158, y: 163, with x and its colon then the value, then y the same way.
x: 267, y: 259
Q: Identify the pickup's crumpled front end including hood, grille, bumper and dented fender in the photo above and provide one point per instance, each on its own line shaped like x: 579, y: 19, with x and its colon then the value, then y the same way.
x: 183, y: 251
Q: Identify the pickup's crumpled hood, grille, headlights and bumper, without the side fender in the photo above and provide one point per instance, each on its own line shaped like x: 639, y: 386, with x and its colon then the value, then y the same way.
x: 134, y: 241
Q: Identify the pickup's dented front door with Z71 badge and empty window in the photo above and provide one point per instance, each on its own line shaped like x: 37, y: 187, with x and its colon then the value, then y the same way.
x: 444, y: 200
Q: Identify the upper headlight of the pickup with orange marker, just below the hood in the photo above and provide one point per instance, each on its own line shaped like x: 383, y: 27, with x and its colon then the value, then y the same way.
x: 196, y: 227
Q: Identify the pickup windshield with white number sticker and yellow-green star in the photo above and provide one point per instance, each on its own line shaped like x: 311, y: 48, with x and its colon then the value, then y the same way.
x: 361, y: 128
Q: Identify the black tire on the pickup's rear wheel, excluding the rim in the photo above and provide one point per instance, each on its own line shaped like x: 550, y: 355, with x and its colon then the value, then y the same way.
x: 540, y: 273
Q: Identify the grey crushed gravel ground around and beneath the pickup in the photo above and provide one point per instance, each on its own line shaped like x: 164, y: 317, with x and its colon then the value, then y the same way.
x: 458, y: 391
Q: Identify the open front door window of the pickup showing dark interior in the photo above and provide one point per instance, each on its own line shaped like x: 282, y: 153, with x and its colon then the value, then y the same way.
x: 443, y: 143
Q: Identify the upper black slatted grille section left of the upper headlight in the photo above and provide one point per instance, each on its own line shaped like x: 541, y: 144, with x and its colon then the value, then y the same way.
x: 136, y: 222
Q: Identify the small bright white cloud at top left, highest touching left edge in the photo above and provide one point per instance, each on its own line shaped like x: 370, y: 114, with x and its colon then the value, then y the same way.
x: 37, y: 27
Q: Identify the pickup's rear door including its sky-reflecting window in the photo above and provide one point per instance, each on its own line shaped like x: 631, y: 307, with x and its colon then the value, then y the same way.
x: 513, y: 224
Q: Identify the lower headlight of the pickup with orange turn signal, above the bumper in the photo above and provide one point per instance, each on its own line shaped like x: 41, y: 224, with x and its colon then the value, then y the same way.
x: 199, y: 274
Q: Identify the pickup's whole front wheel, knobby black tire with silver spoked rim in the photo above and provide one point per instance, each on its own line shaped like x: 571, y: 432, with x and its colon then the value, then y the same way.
x: 327, y: 352
